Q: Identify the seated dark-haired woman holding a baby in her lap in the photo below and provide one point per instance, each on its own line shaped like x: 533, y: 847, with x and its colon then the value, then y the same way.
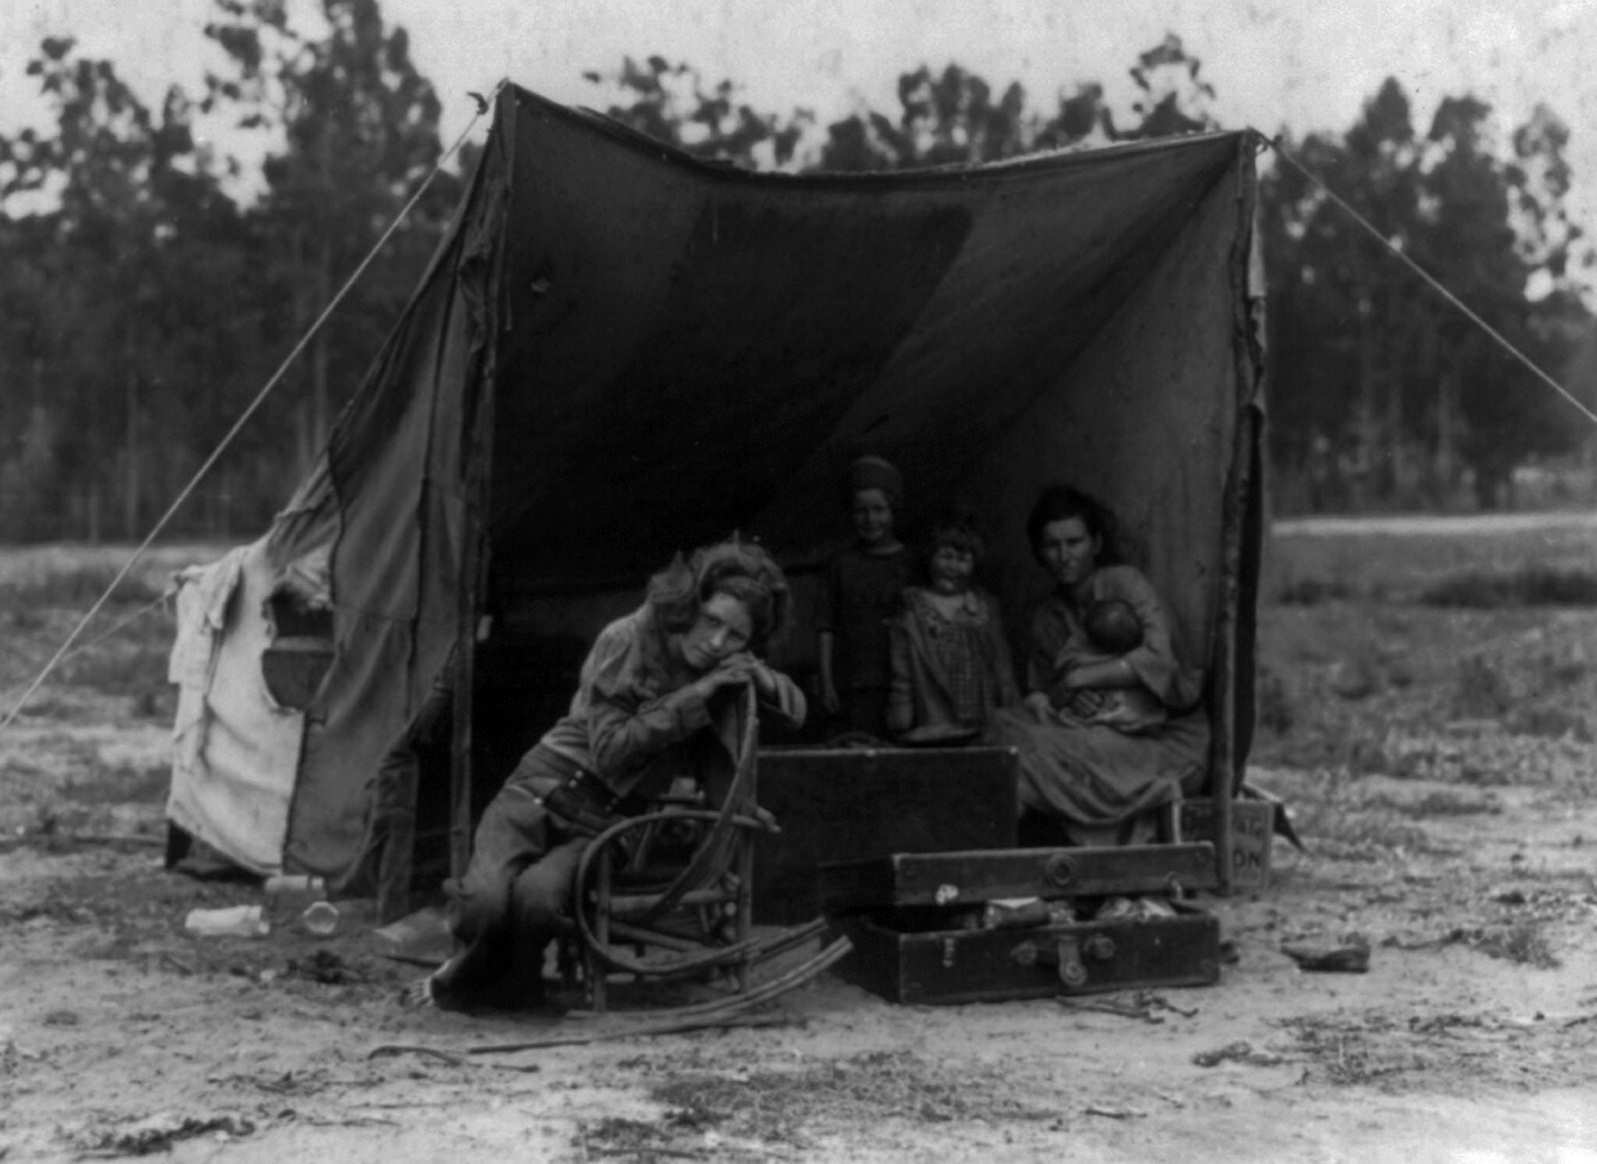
x: 1112, y: 723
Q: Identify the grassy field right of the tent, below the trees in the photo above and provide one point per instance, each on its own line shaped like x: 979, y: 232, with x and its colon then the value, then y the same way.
x: 1379, y: 635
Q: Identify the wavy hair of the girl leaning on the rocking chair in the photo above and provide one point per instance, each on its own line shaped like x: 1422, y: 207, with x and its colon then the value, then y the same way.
x: 740, y: 569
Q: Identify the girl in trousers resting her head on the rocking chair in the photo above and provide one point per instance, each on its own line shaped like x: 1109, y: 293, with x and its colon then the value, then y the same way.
x: 657, y: 700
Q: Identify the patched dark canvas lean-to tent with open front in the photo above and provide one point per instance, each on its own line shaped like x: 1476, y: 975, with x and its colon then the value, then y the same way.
x: 622, y: 352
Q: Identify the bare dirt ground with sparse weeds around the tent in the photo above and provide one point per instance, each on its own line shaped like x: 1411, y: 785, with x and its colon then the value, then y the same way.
x: 1438, y: 762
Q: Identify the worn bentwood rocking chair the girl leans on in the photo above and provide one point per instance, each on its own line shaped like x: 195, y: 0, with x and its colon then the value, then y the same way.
x: 686, y: 921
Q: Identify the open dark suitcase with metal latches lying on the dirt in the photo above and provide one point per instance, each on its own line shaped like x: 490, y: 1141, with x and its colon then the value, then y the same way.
x: 1020, y: 924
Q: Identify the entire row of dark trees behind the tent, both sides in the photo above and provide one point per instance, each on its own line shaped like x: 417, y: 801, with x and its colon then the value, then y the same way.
x: 153, y: 285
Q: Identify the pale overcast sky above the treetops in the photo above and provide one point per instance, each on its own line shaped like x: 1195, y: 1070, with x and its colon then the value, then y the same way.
x: 1306, y: 65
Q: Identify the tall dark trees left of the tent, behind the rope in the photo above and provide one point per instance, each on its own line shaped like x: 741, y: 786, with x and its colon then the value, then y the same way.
x: 153, y: 287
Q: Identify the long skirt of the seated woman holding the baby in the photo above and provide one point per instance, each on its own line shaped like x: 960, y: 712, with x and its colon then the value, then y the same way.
x: 1093, y: 775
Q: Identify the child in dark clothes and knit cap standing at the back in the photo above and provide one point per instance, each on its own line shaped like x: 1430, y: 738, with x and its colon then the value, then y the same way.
x: 863, y: 590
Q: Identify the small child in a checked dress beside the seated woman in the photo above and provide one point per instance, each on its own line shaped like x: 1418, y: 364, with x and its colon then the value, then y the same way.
x: 949, y: 662
